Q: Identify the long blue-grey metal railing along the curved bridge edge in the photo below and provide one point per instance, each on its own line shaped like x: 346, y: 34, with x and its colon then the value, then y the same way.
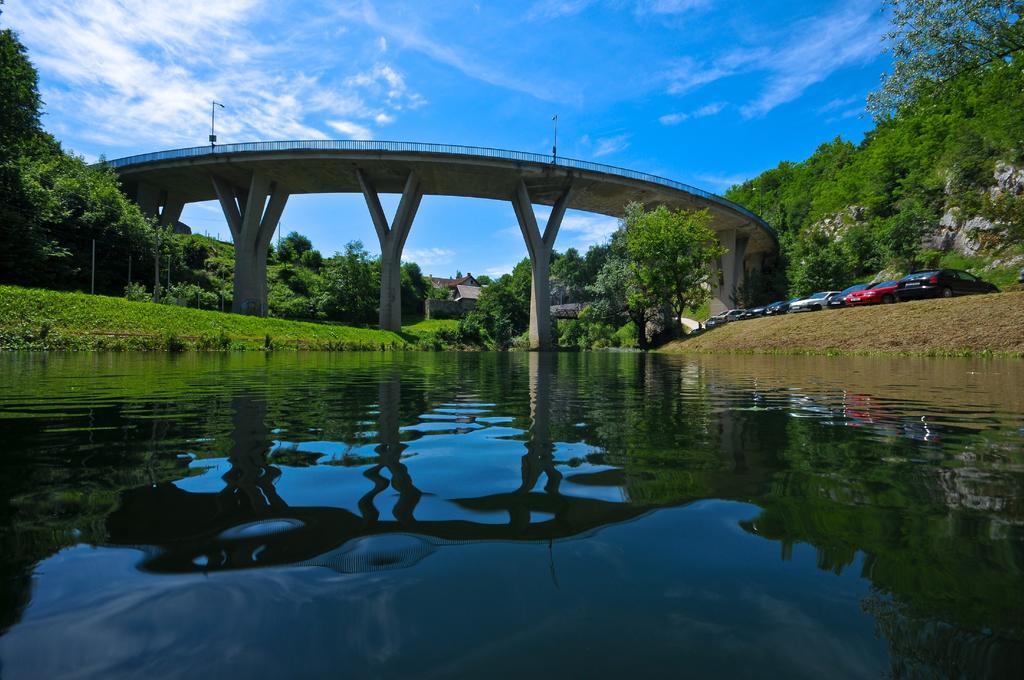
x: 426, y: 148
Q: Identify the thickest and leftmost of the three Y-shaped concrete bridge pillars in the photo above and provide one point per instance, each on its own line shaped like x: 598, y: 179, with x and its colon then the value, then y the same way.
x: 252, y: 216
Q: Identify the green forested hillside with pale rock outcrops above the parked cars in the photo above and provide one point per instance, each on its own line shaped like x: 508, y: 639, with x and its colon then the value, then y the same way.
x: 940, y: 183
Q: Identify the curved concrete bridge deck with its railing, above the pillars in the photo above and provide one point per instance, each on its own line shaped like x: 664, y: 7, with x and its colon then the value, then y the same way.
x: 329, y: 166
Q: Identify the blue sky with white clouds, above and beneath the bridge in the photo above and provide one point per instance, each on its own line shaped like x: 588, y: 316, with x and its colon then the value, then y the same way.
x: 709, y: 93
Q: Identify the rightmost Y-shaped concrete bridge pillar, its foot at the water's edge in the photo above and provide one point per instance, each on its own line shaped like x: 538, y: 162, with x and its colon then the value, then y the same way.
x: 539, y: 246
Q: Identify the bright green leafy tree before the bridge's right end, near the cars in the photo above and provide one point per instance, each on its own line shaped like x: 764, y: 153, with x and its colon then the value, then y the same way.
x: 671, y: 256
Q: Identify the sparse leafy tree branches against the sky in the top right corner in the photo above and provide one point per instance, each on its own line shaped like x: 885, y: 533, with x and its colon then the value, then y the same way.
x: 934, y: 41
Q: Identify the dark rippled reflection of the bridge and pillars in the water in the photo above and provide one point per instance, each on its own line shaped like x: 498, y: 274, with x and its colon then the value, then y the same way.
x: 249, y: 525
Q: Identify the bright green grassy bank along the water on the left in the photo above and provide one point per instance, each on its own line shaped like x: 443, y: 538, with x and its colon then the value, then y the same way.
x: 33, y: 319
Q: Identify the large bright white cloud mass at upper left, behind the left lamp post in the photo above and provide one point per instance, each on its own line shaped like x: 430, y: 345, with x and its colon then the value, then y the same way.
x: 137, y: 73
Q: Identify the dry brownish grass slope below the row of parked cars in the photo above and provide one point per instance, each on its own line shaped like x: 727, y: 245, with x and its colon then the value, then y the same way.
x: 967, y: 326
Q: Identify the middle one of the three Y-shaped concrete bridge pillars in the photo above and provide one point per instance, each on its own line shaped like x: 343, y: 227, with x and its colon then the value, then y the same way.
x: 393, y: 241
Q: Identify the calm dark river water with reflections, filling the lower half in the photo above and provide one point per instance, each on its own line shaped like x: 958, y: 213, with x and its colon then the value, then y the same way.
x: 503, y: 516
